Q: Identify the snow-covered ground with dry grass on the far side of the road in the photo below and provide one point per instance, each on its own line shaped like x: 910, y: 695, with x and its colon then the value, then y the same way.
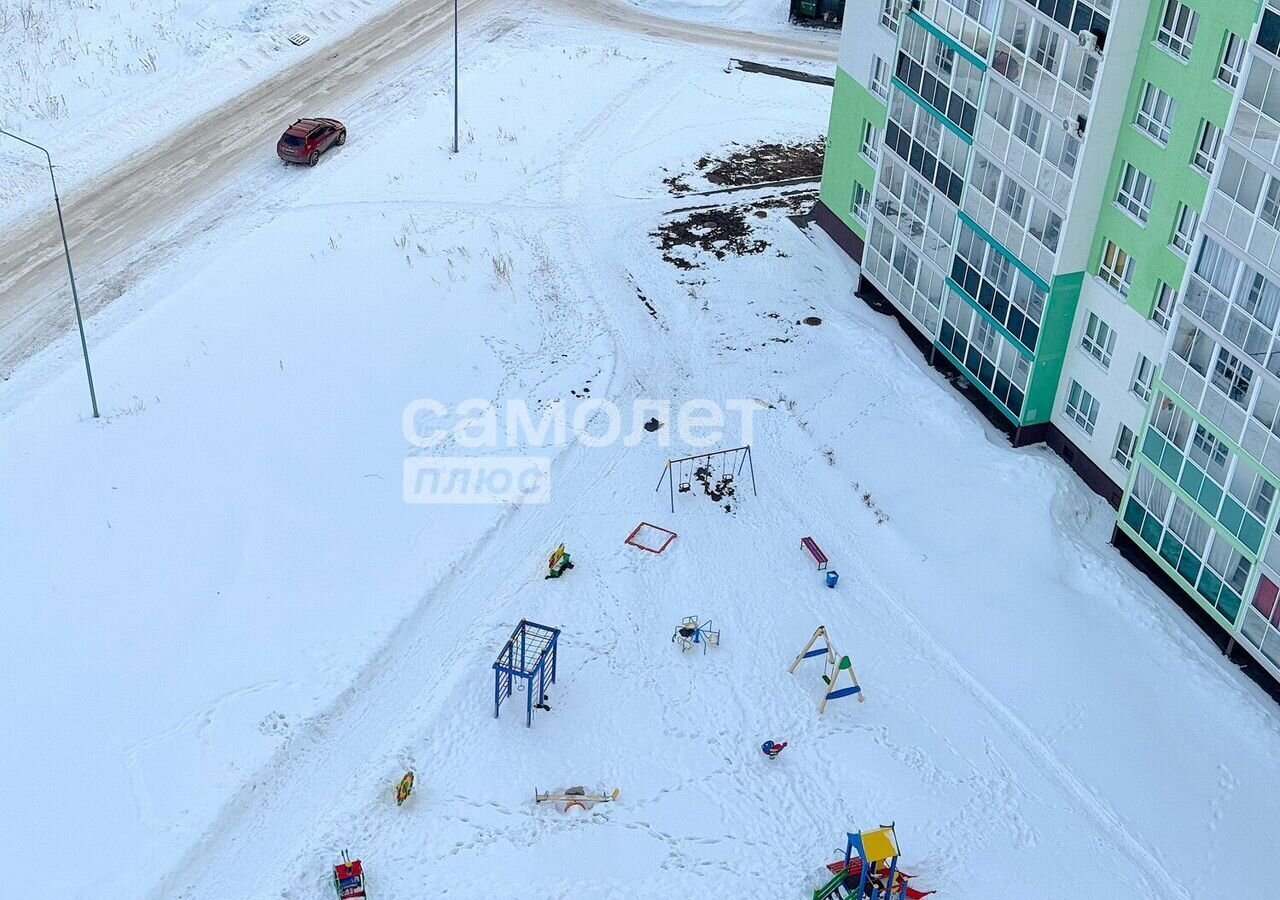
x: 98, y: 80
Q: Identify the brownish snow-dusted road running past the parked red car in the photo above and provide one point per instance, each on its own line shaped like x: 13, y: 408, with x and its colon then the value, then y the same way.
x: 116, y: 222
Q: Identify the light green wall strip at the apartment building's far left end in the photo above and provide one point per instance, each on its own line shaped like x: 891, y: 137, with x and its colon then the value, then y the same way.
x: 853, y: 107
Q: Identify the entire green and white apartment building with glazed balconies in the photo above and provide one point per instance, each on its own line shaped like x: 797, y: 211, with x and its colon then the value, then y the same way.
x: 1076, y: 205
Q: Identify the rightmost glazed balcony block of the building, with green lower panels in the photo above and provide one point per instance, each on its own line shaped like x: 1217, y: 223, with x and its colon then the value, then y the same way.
x: 1201, y: 501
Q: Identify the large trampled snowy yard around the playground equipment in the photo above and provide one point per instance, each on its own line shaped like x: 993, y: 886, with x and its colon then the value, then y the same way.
x: 230, y: 636
